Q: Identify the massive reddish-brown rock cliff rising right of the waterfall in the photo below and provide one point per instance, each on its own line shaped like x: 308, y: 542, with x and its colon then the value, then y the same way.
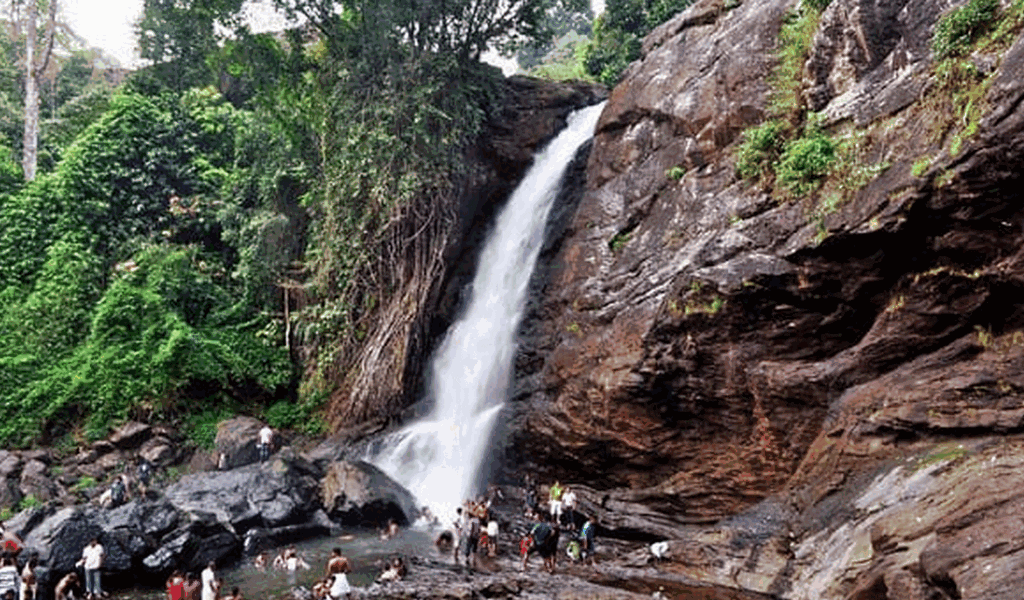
x: 813, y: 396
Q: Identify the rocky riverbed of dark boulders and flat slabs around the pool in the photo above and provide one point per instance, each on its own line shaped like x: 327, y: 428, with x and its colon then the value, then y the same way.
x: 197, y: 512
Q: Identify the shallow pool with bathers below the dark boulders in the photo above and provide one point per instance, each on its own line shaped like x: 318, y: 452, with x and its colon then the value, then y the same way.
x: 366, y: 551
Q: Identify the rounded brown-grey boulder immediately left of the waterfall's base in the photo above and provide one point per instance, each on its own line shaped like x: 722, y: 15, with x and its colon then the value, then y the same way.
x: 360, y: 494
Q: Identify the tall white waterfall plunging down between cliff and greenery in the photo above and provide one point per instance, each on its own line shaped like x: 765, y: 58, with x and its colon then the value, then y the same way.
x: 438, y: 458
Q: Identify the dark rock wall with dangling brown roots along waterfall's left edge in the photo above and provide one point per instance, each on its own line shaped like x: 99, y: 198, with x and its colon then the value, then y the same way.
x: 387, y: 375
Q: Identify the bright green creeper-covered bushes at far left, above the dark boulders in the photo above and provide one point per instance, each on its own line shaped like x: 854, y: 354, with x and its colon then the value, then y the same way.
x: 119, y: 295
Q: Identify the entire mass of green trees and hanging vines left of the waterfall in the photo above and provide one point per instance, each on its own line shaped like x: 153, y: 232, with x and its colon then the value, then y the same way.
x: 185, y: 244
